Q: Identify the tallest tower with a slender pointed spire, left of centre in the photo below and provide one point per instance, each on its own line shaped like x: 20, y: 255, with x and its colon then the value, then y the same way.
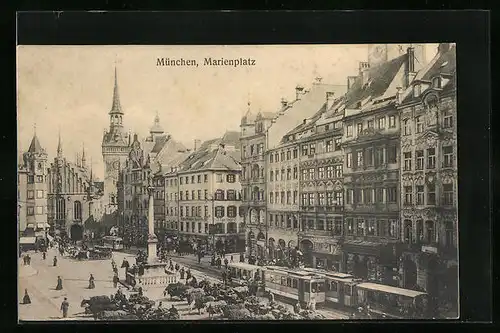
x: 115, y: 150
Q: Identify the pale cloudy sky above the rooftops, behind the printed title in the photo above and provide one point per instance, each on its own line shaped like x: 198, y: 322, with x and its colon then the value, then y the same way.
x: 69, y: 88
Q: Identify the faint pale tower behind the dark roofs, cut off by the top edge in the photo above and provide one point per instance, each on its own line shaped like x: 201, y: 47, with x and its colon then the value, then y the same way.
x: 379, y: 53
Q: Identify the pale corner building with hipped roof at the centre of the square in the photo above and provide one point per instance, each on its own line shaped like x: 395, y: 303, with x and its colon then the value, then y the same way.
x: 209, y: 196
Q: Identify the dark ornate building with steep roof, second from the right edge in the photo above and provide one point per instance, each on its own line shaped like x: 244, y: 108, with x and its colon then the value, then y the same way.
x: 371, y: 168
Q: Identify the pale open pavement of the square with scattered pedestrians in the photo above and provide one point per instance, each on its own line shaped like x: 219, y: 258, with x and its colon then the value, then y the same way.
x: 40, y: 279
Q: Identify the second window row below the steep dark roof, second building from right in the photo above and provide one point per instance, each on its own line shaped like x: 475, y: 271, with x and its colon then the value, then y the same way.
x: 373, y: 156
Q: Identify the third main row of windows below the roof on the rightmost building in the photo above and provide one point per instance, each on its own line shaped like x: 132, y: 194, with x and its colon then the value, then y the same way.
x: 428, y: 192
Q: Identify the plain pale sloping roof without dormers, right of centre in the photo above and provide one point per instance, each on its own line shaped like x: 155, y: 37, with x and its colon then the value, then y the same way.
x: 309, y: 105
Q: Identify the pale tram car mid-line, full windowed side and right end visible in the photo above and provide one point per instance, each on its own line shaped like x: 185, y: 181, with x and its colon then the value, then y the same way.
x: 298, y: 285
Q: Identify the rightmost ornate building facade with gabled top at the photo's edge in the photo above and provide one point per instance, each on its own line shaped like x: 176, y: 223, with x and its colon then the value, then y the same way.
x: 429, y: 179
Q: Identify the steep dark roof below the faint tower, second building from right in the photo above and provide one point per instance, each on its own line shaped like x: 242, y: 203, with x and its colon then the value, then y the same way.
x: 379, y: 79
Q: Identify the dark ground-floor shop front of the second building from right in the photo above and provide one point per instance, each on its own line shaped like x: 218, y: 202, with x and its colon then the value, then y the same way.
x: 371, y: 261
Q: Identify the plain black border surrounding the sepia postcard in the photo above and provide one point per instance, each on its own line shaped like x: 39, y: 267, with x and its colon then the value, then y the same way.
x: 469, y: 29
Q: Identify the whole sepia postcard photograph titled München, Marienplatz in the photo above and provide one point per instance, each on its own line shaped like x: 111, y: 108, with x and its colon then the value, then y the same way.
x: 237, y: 182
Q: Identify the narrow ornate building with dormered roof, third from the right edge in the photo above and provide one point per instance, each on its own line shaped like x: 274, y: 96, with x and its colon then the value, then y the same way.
x: 321, y: 185
